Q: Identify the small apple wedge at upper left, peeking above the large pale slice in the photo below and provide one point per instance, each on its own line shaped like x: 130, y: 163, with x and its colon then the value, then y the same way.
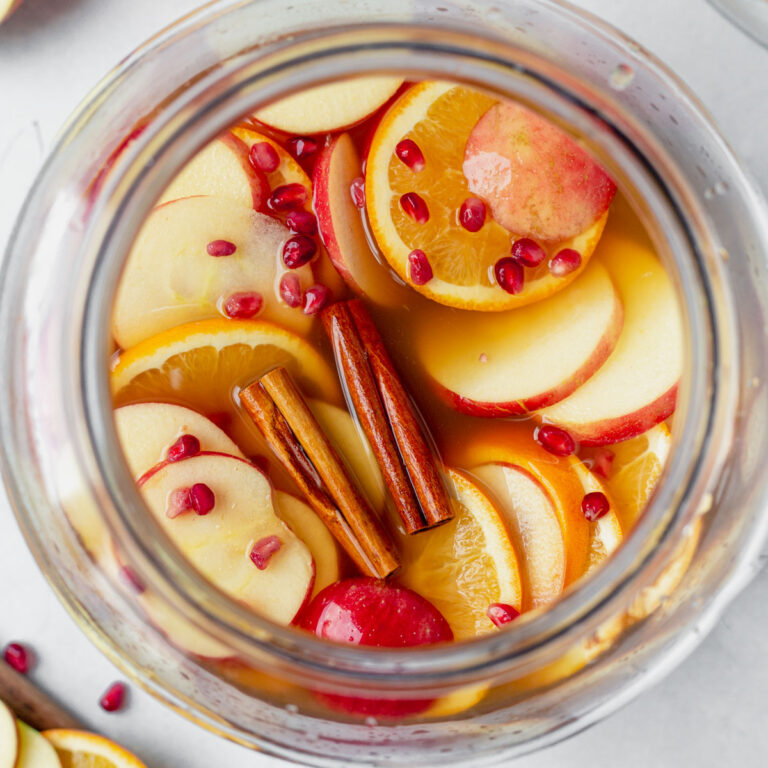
x: 221, y: 168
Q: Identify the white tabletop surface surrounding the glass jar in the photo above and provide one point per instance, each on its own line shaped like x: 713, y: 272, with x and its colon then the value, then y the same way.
x: 710, y: 712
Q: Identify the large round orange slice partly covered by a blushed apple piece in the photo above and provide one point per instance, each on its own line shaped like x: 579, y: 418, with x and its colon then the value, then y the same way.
x: 439, y: 116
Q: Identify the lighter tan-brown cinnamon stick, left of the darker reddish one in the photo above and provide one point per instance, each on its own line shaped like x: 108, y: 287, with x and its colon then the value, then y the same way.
x: 295, y: 437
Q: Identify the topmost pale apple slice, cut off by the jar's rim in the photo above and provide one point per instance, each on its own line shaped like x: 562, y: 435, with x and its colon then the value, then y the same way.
x: 330, y: 107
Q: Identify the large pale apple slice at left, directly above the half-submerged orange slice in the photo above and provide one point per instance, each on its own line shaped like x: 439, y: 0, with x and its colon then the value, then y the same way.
x: 170, y: 278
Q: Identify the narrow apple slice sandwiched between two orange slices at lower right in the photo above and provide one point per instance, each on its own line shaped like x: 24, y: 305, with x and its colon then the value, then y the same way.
x: 533, y: 523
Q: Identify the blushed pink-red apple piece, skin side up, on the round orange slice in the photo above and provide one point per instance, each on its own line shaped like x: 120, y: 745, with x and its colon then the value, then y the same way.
x: 537, y: 180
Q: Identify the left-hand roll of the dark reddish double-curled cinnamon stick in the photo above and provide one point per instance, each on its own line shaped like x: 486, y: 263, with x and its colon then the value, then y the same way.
x: 361, y: 386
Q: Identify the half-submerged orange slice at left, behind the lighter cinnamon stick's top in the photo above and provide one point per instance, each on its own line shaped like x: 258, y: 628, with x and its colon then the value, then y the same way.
x: 201, y: 365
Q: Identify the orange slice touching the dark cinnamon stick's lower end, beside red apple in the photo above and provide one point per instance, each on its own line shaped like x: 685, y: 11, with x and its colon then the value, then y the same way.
x: 464, y: 565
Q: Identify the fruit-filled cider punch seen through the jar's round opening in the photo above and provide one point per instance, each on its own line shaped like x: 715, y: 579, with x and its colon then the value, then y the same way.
x: 395, y: 363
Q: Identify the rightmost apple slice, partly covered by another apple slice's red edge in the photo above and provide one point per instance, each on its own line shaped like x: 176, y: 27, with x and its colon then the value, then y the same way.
x: 636, y: 388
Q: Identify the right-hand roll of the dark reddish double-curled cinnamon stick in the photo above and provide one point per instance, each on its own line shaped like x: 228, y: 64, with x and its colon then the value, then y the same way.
x: 409, y: 436
